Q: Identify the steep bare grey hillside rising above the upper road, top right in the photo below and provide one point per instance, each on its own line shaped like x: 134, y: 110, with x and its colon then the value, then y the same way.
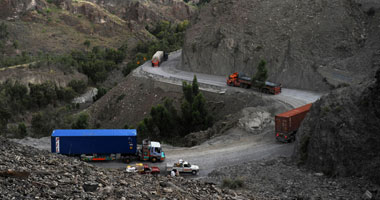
x: 307, y: 44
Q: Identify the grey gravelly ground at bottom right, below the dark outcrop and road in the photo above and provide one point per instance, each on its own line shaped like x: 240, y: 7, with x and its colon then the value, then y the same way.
x: 281, y: 179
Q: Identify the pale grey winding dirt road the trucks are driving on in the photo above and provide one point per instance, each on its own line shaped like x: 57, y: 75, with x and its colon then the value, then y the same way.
x: 234, y: 147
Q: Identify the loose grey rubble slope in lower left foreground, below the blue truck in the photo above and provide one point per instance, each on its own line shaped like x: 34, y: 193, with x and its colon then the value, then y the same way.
x: 28, y: 173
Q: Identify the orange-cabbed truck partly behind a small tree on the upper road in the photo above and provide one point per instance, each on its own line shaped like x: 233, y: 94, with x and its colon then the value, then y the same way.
x: 239, y: 80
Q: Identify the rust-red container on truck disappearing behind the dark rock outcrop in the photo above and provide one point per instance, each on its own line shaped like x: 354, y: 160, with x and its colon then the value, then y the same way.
x: 287, y: 123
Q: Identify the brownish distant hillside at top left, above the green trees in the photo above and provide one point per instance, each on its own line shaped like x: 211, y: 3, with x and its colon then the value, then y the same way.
x: 63, y: 25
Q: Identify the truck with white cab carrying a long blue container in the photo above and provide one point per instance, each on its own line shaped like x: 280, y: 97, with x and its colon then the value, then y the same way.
x: 103, y: 144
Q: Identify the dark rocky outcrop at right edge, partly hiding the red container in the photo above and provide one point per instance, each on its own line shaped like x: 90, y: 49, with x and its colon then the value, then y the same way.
x: 340, y: 136
